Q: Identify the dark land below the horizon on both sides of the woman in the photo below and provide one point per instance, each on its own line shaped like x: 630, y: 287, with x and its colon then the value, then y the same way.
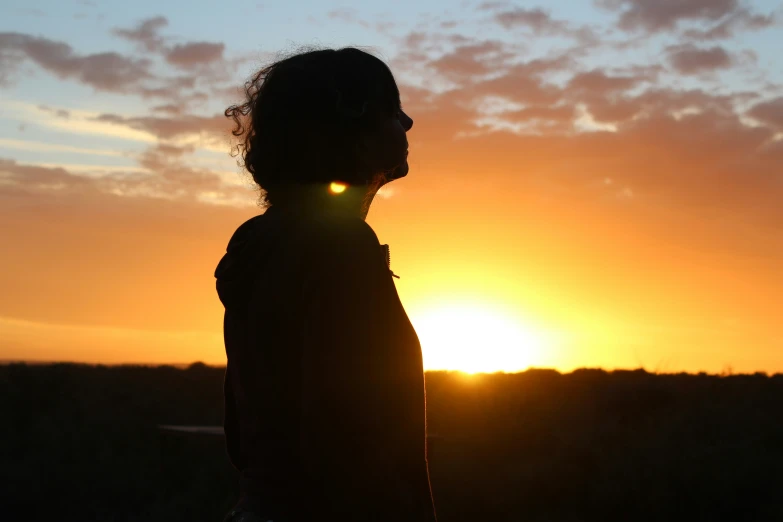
x: 81, y: 442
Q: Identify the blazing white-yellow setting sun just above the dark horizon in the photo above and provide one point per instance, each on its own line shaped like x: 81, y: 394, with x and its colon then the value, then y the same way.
x: 476, y: 339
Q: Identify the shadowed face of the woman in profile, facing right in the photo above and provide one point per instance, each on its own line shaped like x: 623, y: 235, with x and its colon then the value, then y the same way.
x: 387, y: 147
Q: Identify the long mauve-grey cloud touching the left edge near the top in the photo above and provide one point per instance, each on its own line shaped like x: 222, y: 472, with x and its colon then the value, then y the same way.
x: 108, y: 71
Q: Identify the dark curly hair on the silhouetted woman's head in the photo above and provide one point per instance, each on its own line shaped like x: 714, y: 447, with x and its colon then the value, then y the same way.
x: 303, y: 115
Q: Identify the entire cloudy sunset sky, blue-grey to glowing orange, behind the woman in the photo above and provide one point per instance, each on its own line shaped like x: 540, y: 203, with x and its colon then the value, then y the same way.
x: 596, y: 182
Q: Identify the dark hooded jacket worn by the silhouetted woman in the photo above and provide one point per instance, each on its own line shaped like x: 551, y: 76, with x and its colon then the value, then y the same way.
x: 324, y: 387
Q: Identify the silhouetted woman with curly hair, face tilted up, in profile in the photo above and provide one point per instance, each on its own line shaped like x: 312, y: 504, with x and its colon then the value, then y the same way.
x: 324, y: 389
